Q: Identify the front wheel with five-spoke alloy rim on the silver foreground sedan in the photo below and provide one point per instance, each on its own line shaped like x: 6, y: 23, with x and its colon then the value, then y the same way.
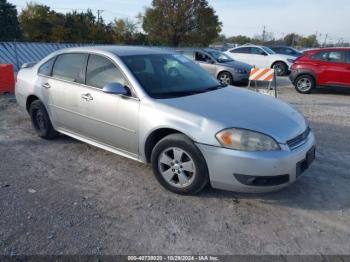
x: 178, y: 165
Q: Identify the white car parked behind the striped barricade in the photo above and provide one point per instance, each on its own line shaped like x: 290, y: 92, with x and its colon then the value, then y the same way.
x: 262, y: 57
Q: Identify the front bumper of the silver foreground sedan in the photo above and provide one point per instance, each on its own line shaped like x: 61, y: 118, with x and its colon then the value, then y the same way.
x: 225, y: 164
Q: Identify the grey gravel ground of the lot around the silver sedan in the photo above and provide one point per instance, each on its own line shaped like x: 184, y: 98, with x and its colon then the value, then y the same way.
x: 66, y: 197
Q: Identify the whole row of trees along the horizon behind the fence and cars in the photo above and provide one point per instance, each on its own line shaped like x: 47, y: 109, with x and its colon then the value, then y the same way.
x: 165, y: 22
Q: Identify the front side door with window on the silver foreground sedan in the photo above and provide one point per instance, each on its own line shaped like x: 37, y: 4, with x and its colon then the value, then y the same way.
x: 111, y: 119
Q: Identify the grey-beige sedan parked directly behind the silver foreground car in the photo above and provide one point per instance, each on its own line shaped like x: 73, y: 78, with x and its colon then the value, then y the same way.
x: 219, y: 65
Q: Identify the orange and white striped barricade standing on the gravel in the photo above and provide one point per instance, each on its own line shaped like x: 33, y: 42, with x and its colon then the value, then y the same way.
x: 264, y: 75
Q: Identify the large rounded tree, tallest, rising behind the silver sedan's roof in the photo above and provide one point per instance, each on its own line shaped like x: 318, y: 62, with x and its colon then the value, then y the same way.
x: 181, y: 22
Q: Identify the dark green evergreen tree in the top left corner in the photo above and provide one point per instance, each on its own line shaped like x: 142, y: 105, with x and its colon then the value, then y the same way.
x: 9, y: 27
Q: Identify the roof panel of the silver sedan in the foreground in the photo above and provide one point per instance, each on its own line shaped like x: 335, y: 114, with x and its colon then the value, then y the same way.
x: 120, y: 50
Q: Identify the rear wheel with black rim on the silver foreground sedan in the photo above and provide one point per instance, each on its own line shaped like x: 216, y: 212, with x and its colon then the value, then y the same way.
x: 41, y: 120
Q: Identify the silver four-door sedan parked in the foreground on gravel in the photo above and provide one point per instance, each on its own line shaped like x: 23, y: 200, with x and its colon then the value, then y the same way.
x: 158, y: 106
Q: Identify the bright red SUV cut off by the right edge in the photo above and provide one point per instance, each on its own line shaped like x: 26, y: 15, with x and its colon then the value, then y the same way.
x: 321, y: 67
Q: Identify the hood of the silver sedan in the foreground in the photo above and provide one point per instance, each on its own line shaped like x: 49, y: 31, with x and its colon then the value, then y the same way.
x: 236, y: 107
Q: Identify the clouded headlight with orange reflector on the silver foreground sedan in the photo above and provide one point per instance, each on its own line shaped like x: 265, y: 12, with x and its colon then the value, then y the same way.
x: 246, y: 140
